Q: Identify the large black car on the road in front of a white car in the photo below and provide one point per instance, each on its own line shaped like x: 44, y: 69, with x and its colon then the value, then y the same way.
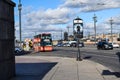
x: 104, y: 45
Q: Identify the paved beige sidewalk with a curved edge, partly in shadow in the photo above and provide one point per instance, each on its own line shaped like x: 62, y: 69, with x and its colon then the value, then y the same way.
x: 59, y: 68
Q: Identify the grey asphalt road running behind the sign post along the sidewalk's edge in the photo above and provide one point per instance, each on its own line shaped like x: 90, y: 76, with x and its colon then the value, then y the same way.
x: 105, y: 57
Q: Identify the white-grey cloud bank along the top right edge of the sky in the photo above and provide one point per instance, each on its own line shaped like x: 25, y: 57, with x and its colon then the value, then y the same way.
x: 91, y: 5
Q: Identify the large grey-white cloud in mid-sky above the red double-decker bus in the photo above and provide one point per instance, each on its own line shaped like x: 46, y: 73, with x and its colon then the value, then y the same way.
x: 47, y: 17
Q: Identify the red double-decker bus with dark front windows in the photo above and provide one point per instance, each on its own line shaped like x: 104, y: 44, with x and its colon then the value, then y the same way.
x: 43, y: 42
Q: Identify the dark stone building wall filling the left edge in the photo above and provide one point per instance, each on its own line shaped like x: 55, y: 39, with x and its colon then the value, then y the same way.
x: 7, y: 58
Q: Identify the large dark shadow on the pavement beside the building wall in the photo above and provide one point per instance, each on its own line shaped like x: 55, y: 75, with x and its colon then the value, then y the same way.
x: 32, y: 71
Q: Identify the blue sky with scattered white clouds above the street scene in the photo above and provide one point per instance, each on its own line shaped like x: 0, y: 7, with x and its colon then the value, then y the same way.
x: 54, y: 16
